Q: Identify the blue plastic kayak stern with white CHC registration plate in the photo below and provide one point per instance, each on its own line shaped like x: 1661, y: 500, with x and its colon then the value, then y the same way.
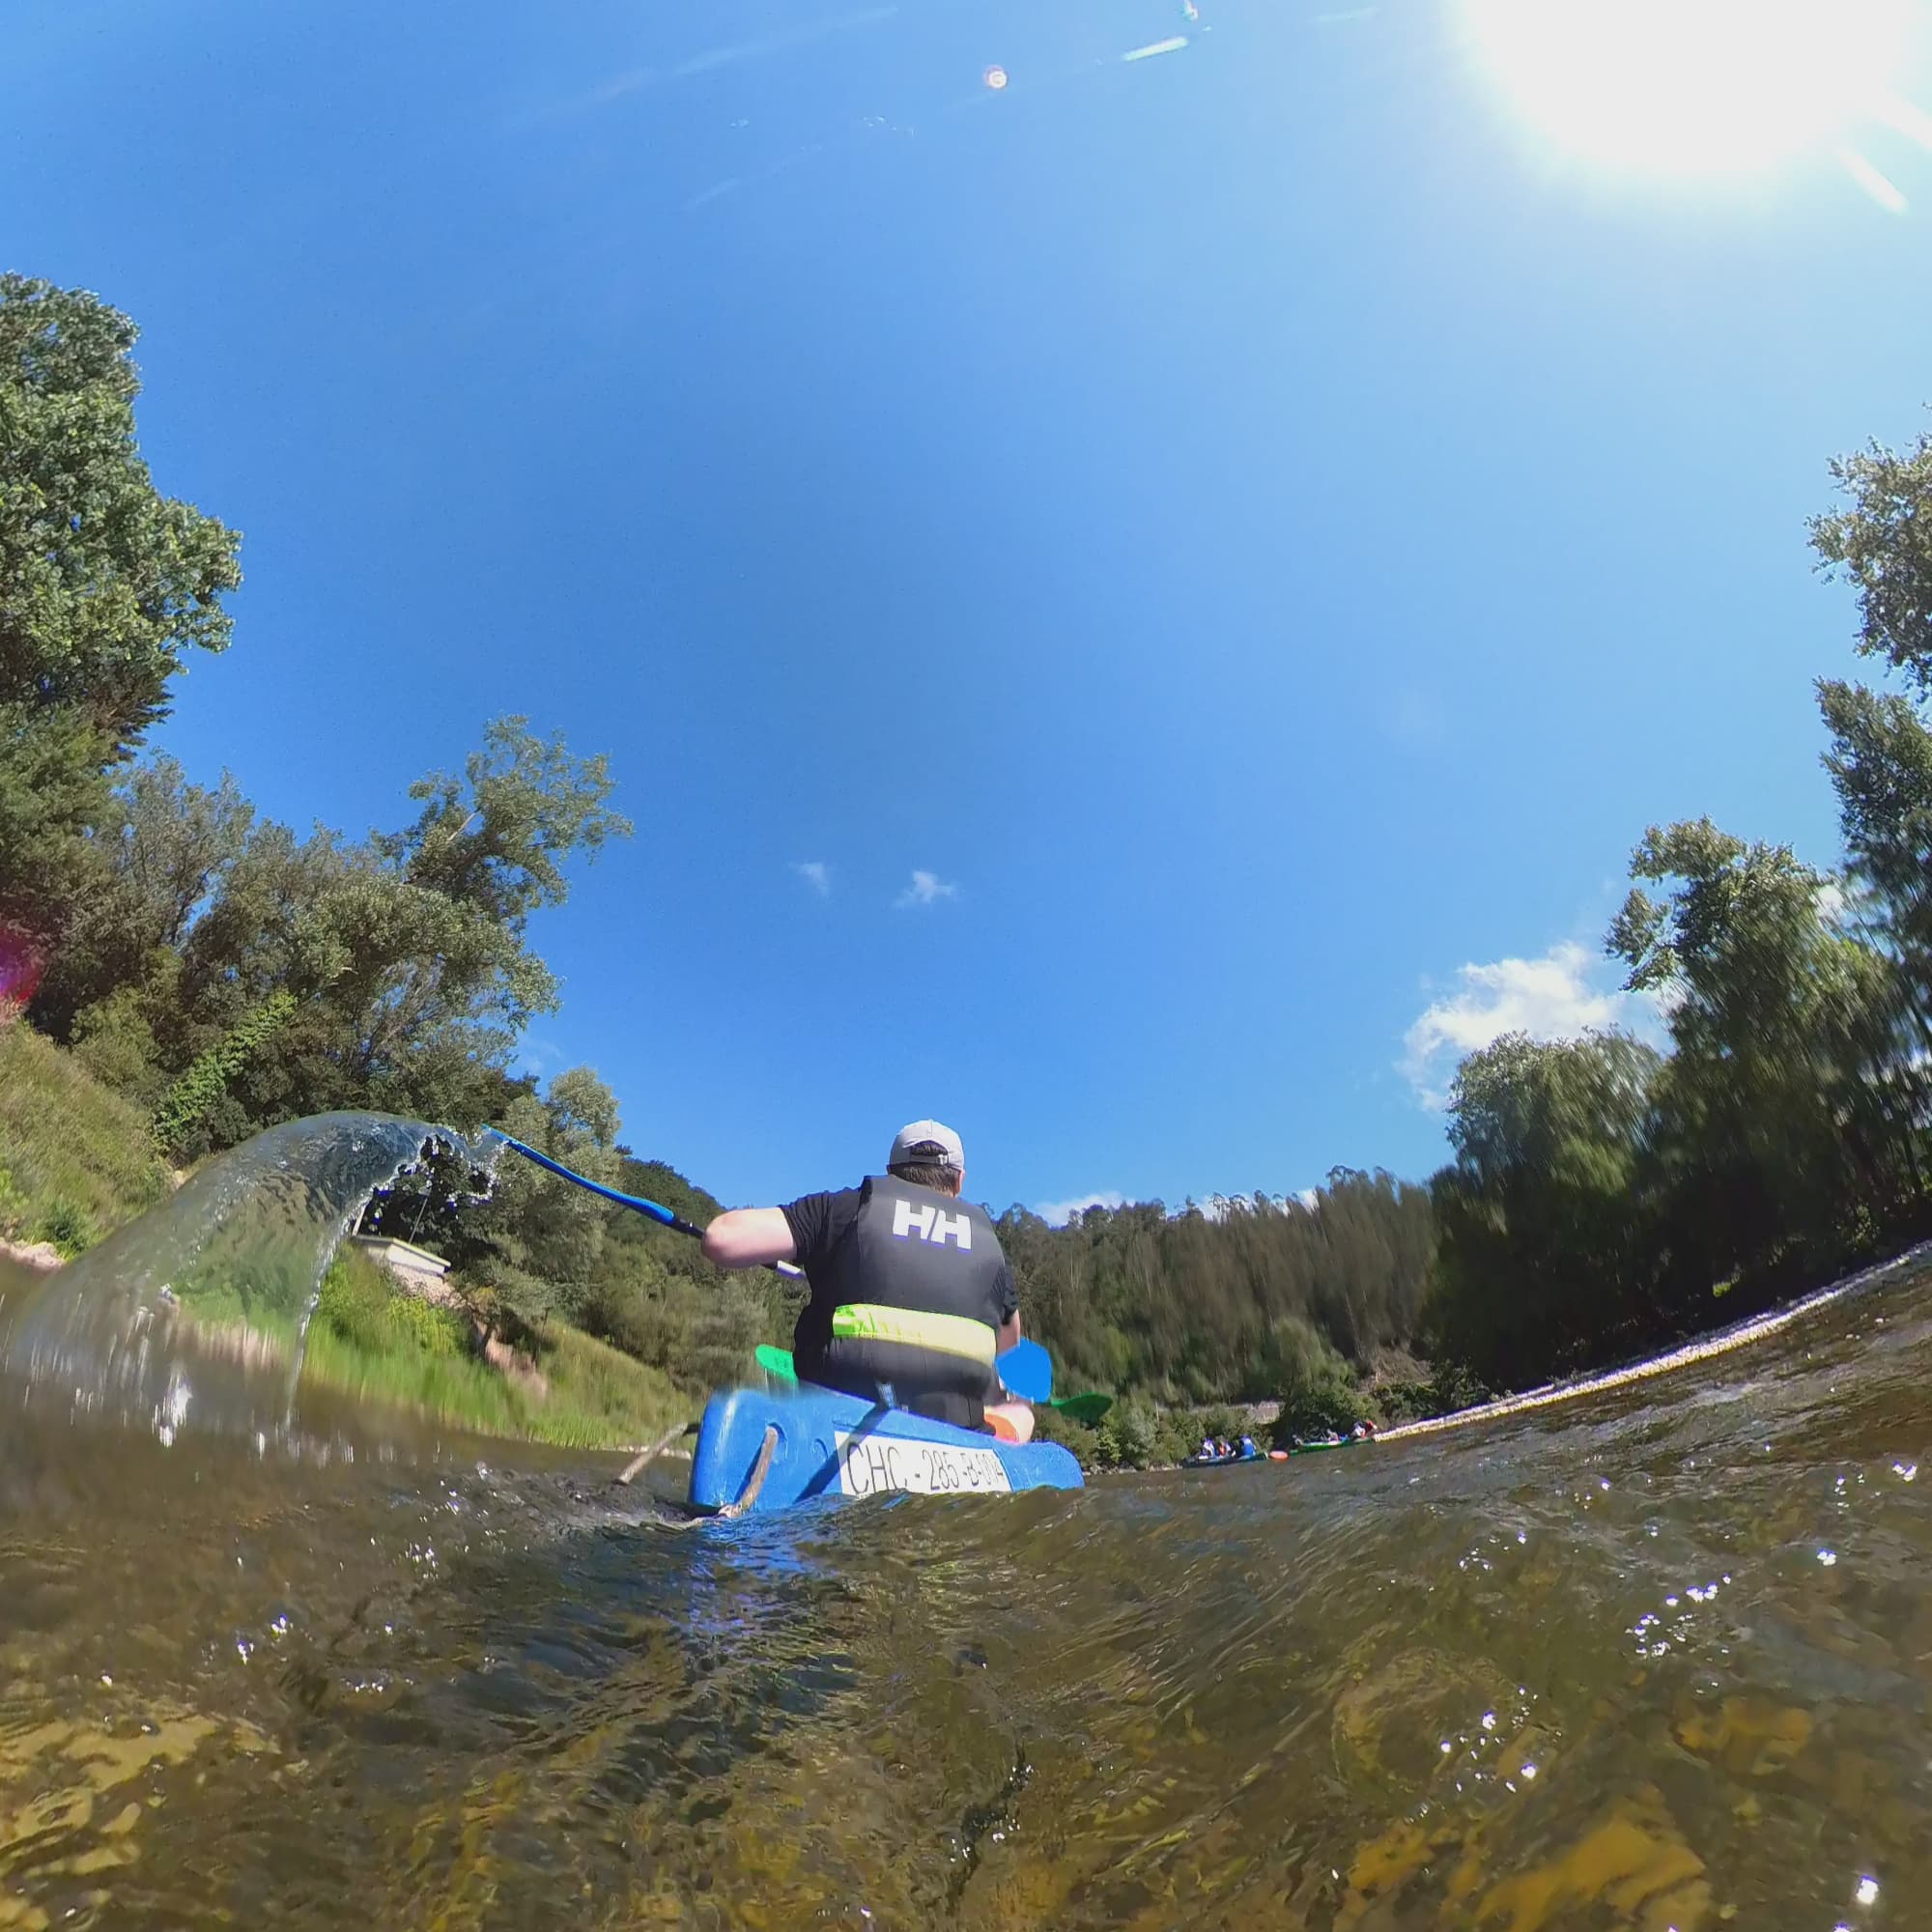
x: 818, y: 1442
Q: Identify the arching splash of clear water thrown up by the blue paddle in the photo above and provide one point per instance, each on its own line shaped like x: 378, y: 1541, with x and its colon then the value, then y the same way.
x: 198, y: 1313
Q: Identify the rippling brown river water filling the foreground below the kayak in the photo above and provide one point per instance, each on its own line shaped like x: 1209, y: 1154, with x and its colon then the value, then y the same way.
x: 1655, y: 1659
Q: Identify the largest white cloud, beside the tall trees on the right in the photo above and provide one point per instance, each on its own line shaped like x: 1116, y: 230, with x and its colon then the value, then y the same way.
x: 1554, y: 998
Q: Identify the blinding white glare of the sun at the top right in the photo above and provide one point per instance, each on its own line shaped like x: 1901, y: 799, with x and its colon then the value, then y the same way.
x: 1691, y: 86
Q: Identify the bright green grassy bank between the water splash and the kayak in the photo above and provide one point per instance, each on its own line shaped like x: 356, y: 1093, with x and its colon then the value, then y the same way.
x: 380, y: 1346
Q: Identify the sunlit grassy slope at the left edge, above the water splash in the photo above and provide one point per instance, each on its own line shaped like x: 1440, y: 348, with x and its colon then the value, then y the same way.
x: 74, y: 1158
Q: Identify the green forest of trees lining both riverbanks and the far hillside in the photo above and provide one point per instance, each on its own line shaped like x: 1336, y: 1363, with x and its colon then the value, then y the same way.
x: 223, y: 973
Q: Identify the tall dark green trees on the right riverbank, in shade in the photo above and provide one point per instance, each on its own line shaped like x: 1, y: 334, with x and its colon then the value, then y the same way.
x: 1606, y: 1197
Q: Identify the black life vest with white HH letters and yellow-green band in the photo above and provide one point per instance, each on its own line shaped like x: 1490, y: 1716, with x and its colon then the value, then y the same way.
x: 909, y: 1303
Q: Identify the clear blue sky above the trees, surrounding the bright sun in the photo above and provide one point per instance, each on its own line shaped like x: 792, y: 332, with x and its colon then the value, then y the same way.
x: 1259, y: 530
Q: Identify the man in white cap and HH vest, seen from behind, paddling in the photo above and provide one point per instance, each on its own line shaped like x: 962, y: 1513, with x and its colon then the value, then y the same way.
x: 909, y: 1288
